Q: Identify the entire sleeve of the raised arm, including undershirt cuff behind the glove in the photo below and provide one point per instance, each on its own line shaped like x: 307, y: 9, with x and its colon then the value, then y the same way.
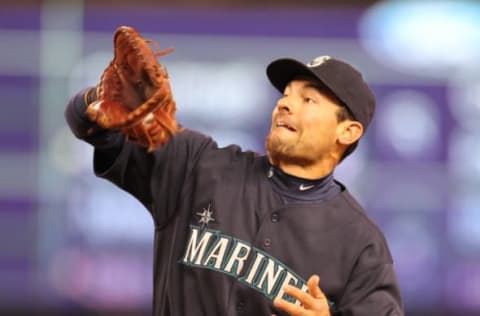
x: 155, y: 179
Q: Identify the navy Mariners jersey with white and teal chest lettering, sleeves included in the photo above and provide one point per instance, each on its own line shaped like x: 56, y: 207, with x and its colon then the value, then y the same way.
x: 226, y: 242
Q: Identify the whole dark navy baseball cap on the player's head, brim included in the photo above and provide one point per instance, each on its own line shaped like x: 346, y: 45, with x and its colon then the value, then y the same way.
x: 341, y: 78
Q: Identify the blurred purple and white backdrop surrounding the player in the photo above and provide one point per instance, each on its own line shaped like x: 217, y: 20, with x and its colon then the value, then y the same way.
x: 72, y: 244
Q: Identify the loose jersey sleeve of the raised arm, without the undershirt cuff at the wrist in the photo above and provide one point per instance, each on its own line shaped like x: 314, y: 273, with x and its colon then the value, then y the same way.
x: 155, y: 179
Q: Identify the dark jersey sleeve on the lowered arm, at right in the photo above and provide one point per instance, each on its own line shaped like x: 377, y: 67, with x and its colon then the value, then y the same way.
x: 372, y: 288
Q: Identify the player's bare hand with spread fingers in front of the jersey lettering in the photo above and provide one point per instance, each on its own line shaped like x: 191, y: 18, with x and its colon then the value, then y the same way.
x: 313, y: 303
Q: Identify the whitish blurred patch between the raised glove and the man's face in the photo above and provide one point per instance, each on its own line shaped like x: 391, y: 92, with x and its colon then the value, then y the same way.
x: 225, y: 100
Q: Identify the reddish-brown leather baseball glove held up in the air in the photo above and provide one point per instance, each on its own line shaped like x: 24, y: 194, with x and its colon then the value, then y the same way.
x: 134, y: 94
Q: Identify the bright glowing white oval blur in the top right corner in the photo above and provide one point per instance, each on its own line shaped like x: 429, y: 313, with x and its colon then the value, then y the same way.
x: 427, y: 38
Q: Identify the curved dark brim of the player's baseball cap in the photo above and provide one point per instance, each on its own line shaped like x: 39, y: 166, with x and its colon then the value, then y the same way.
x: 280, y: 72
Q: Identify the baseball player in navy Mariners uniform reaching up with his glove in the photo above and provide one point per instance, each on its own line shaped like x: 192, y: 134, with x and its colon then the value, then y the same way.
x: 238, y: 233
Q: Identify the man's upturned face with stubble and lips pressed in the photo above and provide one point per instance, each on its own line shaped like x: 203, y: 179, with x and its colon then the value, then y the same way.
x: 304, y: 124
